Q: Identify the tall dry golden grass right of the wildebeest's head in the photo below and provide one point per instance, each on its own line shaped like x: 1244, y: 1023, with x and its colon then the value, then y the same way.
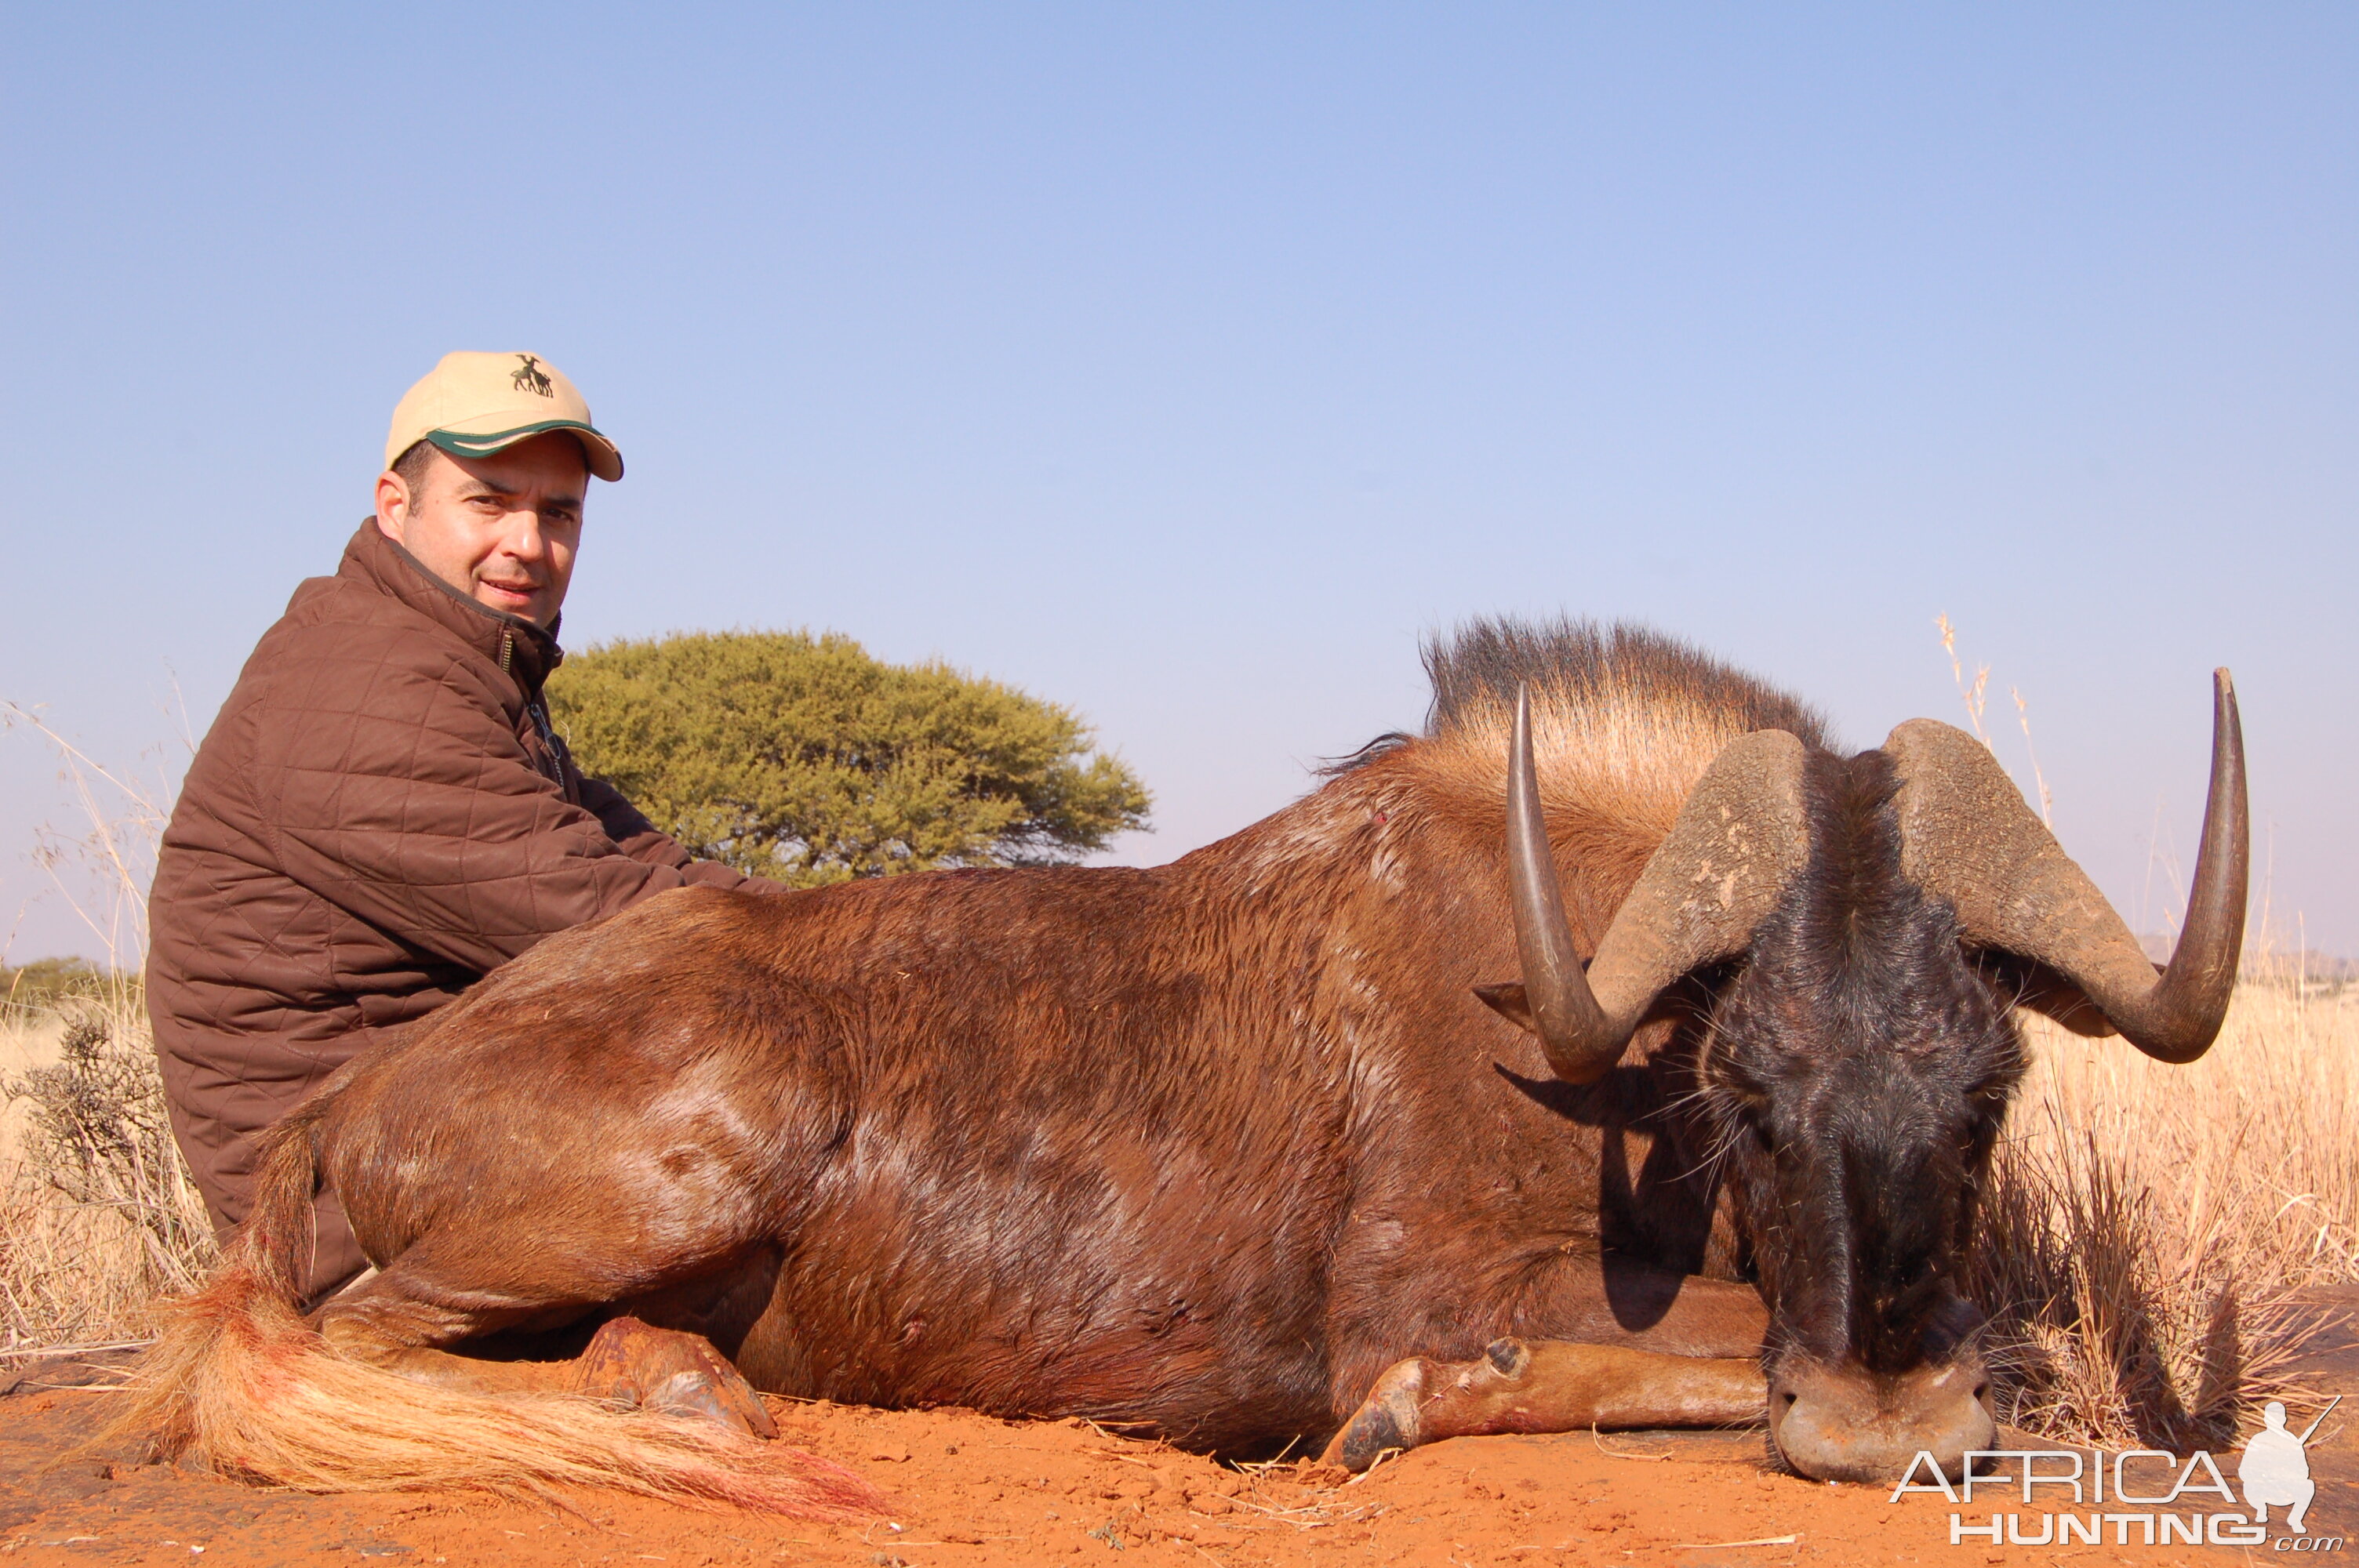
x: 2153, y: 1230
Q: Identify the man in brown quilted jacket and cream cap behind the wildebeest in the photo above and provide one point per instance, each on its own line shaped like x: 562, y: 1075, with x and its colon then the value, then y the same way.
x: 383, y: 812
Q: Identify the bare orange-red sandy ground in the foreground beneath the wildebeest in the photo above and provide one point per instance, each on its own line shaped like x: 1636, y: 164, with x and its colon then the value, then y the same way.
x: 971, y: 1489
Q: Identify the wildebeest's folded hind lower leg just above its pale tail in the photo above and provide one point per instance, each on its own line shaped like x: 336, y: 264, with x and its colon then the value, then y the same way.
x: 402, y: 1324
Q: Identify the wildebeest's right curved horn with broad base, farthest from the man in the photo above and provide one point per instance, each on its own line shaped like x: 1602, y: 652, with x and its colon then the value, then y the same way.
x: 1969, y: 836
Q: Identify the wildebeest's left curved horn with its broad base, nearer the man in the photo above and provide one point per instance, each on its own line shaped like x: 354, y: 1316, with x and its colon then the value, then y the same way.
x: 1737, y: 843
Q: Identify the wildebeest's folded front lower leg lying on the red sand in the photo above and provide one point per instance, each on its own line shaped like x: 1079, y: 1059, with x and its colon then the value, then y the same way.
x: 1546, y: 1385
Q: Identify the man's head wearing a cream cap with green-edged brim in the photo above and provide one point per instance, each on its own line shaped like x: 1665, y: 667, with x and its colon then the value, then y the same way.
x: 485, y: 477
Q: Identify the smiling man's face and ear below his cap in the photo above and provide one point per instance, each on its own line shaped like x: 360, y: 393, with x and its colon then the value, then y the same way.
x: 499, y: 529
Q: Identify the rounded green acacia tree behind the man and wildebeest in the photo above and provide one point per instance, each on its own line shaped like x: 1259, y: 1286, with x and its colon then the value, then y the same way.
x: 806, y: 760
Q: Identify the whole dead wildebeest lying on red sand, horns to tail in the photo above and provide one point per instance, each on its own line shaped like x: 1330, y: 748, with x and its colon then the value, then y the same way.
x: 1226, y: 1149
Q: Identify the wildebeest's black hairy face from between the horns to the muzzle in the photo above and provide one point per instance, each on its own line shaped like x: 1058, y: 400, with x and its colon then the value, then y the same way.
x: 1855, y: 1076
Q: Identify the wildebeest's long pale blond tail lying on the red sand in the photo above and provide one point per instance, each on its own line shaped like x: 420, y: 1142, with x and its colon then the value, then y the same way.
x: 244, y: 1385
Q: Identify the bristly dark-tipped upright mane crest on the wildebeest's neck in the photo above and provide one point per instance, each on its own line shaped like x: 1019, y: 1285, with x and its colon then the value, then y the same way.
x: 1478, y: 666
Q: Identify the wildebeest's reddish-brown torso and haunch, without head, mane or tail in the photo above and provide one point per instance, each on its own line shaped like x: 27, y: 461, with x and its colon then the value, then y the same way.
x: 1195, y: 1147
